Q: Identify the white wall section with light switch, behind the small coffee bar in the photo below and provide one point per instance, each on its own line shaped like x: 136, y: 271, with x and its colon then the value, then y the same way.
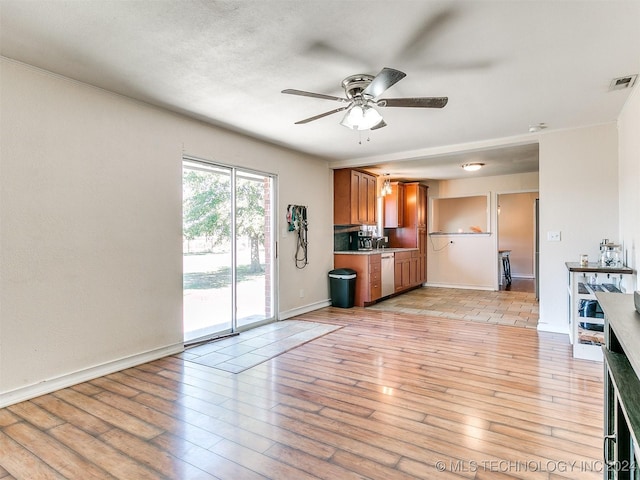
x: 579, y: 199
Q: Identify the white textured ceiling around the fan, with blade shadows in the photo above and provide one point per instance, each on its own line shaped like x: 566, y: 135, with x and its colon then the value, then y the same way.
x: 503, y: 64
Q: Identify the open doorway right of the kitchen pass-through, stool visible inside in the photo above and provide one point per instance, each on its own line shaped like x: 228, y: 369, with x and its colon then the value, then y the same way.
x: 518, y: 234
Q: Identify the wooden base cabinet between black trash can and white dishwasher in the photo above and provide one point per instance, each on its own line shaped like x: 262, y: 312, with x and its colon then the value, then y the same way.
x: 368, y: 275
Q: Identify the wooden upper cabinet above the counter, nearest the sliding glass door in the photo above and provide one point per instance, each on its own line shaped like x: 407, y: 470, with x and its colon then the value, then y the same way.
x: 354, y: 197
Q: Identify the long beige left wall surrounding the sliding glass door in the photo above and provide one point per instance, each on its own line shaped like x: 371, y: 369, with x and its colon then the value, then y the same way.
x: 91, y: 230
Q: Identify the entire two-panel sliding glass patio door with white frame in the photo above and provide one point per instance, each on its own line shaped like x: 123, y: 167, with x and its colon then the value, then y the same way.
x: 228, y: 254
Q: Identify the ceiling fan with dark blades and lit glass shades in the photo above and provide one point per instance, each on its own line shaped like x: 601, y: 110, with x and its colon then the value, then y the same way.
x: 362, y: 96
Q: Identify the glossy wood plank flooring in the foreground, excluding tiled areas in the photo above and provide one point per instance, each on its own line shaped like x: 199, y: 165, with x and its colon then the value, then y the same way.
x: 389, y: 396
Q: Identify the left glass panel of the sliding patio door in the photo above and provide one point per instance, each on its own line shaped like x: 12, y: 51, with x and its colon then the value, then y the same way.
x: 207, y: 251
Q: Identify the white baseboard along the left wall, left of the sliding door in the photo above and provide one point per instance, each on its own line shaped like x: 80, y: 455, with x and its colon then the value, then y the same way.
x: 51, y: 385
